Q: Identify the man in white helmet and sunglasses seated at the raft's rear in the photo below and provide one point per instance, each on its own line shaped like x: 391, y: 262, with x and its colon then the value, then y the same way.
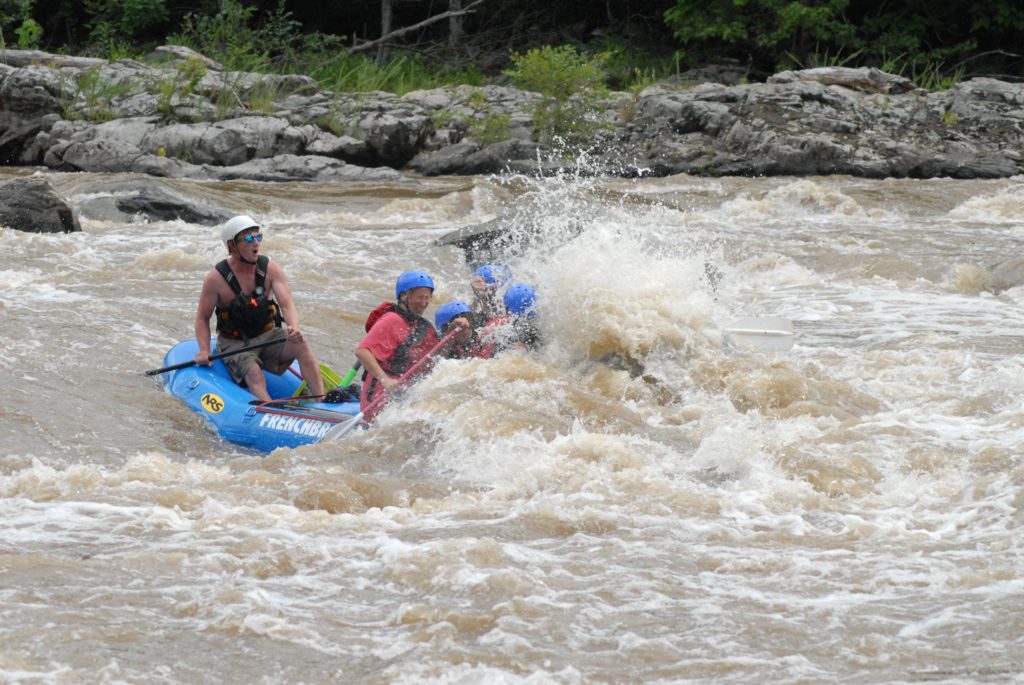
x: 251, y: 298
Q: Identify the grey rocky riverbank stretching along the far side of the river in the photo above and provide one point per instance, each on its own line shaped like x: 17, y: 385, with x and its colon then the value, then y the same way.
x: 186, y: 117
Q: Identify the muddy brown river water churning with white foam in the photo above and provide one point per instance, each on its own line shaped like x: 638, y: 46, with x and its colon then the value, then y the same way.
x: 635, y: 495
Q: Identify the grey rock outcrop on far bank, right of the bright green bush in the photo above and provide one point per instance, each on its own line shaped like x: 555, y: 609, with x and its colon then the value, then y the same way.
x: 815, y: 125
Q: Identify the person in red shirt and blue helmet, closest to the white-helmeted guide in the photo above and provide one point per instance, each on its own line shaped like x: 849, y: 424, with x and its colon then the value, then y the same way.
x: 398, y: 336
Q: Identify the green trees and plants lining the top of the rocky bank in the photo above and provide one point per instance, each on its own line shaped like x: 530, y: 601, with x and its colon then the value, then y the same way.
x: 402, y: 46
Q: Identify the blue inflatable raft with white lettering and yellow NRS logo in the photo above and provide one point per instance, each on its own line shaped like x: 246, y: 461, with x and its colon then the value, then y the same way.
x: 212, y: 394
